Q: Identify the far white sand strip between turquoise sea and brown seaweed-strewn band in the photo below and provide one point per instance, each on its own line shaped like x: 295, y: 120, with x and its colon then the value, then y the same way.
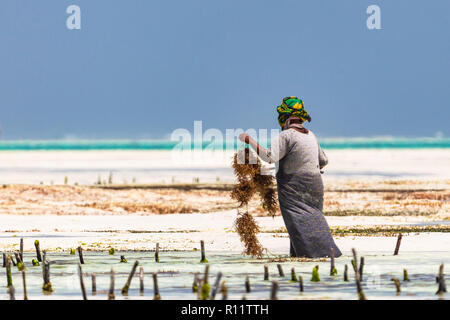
x: 84, y: 167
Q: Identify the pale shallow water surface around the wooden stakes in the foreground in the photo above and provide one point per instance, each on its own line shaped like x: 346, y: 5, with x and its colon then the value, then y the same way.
x: 176, y: 272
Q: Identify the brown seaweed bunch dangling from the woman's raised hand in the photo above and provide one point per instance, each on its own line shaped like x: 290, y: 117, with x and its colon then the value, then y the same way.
x: 247, y: 169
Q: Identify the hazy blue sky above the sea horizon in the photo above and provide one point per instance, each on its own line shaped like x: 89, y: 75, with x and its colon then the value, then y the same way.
x: 140, y: 69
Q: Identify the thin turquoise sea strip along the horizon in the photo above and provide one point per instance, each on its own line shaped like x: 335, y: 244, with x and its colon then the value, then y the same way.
x: 326, y: 143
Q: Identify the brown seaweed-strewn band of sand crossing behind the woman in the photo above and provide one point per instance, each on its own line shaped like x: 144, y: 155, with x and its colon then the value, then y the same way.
x: 389, y: 198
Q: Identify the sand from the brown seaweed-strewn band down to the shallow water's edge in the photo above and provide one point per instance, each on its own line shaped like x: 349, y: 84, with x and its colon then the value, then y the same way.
x: 135, y: 217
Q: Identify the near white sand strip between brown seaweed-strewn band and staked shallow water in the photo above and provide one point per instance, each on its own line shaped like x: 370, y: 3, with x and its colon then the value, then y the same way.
x: 184, y: 231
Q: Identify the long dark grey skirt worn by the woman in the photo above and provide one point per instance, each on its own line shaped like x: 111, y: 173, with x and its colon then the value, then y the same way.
x: 301, y: 203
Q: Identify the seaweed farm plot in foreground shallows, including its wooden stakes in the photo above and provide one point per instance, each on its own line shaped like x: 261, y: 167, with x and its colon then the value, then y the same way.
x: 243, y: 278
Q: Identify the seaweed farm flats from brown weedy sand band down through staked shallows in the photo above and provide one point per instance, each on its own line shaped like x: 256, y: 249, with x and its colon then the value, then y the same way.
x: 367, y: 216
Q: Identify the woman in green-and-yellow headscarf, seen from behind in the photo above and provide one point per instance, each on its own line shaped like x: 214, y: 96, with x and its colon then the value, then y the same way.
x: 299, y: 159
